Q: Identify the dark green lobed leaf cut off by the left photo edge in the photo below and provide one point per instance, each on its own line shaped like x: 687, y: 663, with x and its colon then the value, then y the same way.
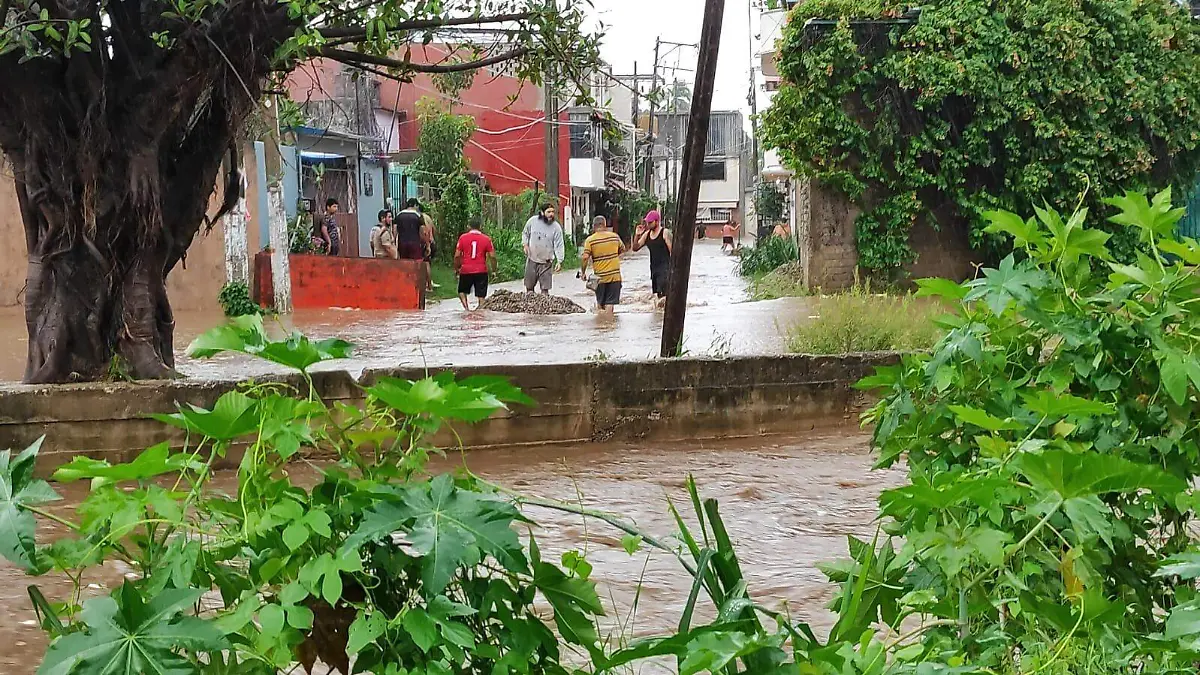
x: 20, y: 491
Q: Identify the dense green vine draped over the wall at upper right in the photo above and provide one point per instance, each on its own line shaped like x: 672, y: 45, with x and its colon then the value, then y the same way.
x: 985, y: 106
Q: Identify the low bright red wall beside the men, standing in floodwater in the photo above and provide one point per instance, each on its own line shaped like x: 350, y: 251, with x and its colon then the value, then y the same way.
x: 361, y: 284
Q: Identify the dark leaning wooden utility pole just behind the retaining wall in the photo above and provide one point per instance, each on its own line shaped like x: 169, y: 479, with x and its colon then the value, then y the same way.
x: 689, y: 194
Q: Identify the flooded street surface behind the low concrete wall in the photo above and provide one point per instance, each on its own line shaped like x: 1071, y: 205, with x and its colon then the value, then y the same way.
x: 722, y: 321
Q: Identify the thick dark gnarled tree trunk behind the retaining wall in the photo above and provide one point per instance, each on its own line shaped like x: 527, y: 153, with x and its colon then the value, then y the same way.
x: 117, y: 154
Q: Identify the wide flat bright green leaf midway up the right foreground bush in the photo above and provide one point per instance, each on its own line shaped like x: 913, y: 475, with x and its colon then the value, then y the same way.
x: 1071, y: 475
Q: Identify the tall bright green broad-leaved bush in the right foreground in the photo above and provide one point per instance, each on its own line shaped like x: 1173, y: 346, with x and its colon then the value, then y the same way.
x: 1051, y: 441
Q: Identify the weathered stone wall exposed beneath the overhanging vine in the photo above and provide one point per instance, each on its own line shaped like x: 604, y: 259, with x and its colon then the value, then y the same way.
x: 830, y: 253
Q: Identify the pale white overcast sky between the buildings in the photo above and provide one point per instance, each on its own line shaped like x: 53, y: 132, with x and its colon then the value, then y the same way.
x: 634, y: 25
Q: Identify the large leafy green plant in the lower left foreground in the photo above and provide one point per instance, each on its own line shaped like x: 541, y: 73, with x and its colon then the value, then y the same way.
x: 373, y: 563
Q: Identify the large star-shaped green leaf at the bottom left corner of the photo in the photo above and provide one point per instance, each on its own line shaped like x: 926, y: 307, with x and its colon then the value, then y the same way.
x: 128, y: 635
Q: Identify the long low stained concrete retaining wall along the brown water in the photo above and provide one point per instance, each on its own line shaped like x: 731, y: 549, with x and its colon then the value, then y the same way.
x: 577, y: 403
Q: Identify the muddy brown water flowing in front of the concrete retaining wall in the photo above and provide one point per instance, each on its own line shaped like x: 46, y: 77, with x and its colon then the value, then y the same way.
x: 788, y: 501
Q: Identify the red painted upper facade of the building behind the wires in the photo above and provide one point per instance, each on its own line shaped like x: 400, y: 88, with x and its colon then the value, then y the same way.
x: 509, y: 146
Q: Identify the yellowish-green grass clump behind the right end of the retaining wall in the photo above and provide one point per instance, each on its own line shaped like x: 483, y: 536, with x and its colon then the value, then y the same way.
x: 860, y: 321
